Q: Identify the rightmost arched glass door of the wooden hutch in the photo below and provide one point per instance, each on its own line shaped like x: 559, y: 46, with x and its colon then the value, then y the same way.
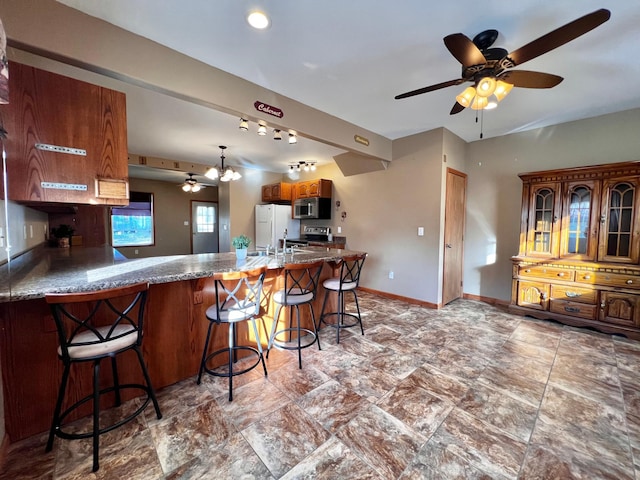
x: 619, y: 225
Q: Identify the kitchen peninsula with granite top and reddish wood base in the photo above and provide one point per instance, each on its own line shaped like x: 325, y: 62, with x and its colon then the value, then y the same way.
x: 181, y: 289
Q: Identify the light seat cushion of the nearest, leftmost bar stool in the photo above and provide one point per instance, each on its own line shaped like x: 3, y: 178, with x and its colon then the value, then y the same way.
x: 128, y: 338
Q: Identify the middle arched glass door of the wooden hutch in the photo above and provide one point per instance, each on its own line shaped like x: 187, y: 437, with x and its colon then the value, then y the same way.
x: 580, y: 209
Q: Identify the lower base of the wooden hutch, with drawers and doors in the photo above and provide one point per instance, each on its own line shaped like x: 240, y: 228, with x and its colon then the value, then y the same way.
x: 603, y: 297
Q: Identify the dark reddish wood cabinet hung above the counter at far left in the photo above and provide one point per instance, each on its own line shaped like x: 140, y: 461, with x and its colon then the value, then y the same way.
x: 66, y: 140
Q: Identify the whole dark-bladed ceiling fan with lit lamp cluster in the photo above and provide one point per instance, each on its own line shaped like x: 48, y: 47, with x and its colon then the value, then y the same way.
x: 490, y: 68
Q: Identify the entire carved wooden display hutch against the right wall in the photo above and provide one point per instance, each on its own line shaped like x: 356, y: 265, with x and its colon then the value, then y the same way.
x: 579, y: 248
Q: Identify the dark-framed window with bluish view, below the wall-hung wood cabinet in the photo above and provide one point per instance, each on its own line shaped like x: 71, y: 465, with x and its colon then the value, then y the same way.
x: 132, y: 226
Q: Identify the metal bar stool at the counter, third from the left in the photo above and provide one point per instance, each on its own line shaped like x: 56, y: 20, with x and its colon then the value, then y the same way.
x: 300, y: 286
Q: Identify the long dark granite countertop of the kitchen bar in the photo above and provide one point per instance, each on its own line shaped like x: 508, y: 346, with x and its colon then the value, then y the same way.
x: 77, y: 269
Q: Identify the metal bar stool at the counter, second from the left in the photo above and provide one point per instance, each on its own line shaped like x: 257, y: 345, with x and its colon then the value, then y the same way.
x: 237, y: 300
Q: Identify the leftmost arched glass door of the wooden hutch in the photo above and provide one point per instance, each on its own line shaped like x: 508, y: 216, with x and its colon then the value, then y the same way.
x: 543, y: 227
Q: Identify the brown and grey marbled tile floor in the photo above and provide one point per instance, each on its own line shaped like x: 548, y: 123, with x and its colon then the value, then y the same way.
x: 466, y: 392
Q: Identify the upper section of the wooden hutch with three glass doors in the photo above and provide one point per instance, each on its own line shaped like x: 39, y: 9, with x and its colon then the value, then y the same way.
x: 588, y: 213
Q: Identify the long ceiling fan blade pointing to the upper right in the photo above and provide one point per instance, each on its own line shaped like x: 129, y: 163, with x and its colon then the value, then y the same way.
x: 559, y: 36
